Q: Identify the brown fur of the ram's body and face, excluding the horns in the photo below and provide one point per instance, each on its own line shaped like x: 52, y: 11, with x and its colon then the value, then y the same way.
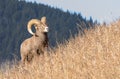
x: 34, y: 45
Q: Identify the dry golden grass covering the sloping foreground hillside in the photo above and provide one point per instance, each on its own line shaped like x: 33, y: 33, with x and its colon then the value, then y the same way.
x: 95, y: 55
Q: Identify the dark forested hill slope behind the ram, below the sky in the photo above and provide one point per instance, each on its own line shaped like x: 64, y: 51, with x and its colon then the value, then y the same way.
x: 14, y: 15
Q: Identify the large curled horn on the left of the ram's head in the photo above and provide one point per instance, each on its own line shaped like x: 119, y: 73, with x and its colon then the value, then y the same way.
x: 31, y: 23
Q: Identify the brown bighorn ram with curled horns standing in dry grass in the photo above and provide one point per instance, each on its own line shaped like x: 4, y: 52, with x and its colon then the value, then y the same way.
x: 37, y: 43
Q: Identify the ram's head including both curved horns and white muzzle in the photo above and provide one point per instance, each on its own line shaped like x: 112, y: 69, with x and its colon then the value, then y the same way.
x: 40, y: 26
